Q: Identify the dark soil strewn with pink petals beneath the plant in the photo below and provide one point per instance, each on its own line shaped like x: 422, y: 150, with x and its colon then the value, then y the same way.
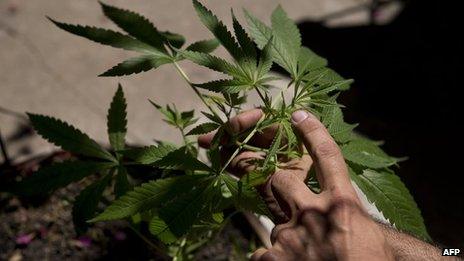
x: 41, y: 229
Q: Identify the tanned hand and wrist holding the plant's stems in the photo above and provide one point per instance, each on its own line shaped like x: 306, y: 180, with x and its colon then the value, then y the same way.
x: 330, y: 225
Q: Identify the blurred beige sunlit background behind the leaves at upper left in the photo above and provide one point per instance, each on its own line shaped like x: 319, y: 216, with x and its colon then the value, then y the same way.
x: 48, y: 71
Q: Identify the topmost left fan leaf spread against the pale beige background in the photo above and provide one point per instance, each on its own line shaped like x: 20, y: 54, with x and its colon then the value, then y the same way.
x: 158, y: 47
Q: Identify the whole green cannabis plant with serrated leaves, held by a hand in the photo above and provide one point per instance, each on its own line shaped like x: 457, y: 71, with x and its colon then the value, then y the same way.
x: 185, y: 199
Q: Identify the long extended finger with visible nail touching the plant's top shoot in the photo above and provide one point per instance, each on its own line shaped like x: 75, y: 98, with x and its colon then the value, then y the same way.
x: 328, y: 159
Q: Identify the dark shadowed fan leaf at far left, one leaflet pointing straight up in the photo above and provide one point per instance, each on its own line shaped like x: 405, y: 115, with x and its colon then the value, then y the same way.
x: 61, y: 174
